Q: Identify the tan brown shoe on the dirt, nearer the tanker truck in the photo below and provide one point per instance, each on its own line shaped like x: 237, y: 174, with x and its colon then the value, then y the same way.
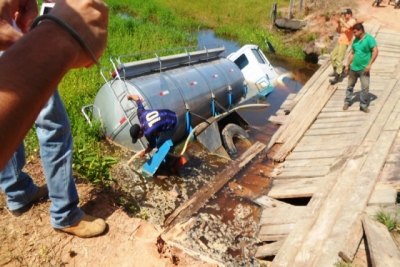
x: 88, y: 226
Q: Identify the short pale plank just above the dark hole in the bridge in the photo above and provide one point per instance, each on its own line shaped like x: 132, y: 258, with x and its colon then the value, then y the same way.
x: 293, y: 188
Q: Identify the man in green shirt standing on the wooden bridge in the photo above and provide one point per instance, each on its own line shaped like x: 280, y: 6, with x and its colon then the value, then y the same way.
x: 363, y: 53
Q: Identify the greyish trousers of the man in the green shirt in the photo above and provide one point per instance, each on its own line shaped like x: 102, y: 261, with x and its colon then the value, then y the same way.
x: 364, y: 94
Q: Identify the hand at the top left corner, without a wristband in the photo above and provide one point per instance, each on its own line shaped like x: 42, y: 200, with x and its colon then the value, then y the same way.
x: 22, y: 12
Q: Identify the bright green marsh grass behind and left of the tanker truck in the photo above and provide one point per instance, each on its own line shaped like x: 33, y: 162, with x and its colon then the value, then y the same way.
x: 137, y: 26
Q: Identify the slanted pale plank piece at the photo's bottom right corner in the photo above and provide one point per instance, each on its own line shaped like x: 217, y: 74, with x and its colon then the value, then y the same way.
x: 383, y: 250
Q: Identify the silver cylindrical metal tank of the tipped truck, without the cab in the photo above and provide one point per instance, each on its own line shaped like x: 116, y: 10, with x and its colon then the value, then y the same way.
x: 180, y: 89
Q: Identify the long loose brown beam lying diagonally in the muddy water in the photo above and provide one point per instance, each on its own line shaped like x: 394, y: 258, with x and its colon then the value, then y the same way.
x: 203, y: 194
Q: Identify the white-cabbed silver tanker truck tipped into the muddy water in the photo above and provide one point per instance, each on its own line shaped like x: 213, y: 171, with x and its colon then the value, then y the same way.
x: 203, y: 88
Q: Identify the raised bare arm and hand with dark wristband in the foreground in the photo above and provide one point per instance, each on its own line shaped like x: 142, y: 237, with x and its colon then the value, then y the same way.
x: 32, y: 67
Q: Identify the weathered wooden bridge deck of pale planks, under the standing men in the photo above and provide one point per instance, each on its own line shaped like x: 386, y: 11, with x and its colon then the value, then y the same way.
x: 346, y: 162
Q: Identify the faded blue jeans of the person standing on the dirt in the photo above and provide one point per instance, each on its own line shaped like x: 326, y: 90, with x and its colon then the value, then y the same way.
x: 54, y: 134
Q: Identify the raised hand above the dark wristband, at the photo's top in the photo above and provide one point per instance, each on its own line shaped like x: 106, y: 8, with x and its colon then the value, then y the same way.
x: 89, y: 18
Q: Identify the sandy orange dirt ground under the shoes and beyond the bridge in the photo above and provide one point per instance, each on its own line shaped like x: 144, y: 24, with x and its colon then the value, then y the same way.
x: 29, y: 240
